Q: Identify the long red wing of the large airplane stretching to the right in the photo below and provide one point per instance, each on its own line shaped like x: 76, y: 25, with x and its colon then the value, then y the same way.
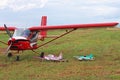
x: 75, y: 26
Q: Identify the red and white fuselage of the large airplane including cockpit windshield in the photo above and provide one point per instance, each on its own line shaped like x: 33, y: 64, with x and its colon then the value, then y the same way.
x: 23, y: 39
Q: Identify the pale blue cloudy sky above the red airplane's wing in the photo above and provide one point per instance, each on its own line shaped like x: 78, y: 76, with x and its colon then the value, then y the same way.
x: 27, y: 13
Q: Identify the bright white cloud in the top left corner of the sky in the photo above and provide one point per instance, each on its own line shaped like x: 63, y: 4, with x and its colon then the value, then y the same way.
x: 17, y: 5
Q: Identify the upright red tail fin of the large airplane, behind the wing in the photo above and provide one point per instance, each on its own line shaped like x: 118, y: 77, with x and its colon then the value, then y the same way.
x: 43, y: 33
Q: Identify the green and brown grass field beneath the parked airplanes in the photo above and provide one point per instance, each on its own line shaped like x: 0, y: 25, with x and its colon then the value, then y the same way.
x: 103, y: 44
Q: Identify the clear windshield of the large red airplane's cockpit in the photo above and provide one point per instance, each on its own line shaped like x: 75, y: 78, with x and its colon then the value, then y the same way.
x: 21, y: 32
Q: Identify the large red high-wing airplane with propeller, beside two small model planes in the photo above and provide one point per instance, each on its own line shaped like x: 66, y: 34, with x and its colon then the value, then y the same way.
x: 26, y: 38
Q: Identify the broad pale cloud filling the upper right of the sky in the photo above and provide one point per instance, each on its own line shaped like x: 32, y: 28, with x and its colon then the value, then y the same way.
x: 88, y: 7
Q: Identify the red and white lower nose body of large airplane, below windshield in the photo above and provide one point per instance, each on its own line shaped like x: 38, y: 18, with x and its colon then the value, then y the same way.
x: 21, y: 43
